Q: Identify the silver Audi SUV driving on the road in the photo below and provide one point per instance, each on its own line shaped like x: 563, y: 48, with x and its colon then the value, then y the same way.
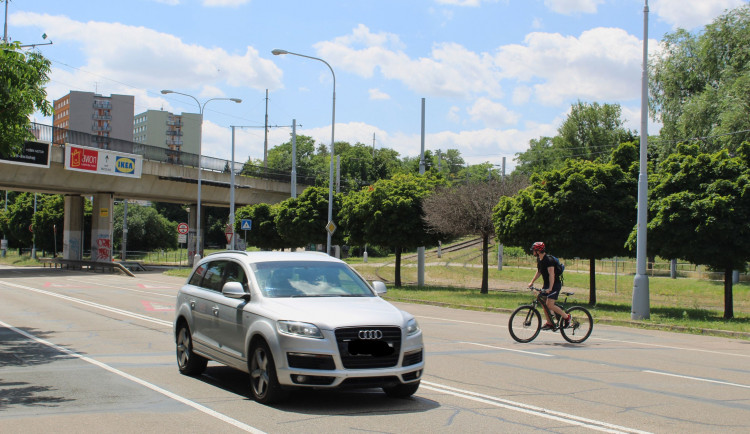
x: 295, y: 320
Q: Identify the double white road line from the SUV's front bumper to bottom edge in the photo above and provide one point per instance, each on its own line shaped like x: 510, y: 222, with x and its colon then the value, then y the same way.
x: 529, y: 409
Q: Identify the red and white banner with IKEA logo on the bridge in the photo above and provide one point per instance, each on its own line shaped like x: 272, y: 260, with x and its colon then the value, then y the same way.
x: 102, y: 161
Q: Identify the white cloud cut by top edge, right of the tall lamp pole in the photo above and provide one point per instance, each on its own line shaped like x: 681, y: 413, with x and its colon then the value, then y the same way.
x: 689, y: 14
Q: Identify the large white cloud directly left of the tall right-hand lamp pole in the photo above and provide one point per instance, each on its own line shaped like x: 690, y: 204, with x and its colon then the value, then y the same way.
x: 601, y: 64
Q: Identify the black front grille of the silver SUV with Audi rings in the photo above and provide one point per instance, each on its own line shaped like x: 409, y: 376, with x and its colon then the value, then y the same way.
x: 380, y: 347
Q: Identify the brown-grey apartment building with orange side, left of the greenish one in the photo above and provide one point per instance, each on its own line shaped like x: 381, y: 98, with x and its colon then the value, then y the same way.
x: 105, y: 117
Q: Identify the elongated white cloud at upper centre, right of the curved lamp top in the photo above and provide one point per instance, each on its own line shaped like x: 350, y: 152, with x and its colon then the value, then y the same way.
x: 450, y: 71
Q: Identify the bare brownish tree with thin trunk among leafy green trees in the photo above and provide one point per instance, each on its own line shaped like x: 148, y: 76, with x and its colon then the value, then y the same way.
x: 466, y: 209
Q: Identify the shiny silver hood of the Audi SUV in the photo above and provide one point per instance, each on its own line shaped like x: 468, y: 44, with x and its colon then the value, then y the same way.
x: 331, y: 312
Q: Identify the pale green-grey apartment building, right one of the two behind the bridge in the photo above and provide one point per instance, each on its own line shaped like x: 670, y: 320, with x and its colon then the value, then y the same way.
x: 179, y: 133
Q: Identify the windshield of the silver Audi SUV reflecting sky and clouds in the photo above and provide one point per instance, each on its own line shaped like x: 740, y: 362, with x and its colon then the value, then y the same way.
x: 309, y: 279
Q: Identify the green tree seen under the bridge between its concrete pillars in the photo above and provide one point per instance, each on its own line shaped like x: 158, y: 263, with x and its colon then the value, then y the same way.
x: 147, y: 229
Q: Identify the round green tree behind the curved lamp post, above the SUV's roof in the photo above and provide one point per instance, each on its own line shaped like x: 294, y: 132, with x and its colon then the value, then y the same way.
x: 302, y: 220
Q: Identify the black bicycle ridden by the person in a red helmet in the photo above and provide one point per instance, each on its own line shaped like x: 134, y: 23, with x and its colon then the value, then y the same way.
x: 525, y: 322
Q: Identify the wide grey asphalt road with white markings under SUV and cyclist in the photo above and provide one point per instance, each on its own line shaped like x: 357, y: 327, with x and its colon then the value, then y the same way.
x: 87, y: 352
